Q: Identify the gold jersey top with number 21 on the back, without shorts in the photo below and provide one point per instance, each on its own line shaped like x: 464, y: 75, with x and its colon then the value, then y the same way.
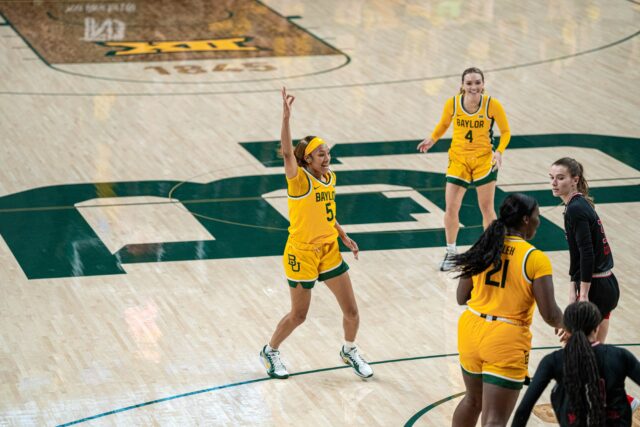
x: 507, y: 291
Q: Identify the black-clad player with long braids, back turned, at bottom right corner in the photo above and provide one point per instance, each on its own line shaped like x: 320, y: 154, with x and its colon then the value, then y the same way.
x: 590, y: 376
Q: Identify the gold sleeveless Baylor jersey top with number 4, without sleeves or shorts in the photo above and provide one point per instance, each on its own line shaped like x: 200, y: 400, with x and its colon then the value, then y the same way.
x: 472, y: 132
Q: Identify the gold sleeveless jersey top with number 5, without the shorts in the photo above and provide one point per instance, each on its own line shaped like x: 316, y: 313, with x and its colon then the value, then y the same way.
x: 312, y: 208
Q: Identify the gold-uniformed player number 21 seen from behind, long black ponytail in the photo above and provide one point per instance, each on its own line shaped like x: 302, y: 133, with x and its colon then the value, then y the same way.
x: 502, y: 277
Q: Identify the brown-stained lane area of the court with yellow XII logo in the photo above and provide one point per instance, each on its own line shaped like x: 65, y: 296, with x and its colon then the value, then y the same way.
x: 139, y: 31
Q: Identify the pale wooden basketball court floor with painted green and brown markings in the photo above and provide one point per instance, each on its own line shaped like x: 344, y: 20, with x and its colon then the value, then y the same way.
x: 143, y: 204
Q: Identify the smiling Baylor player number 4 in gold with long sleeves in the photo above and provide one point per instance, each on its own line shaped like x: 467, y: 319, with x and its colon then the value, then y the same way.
x: 471, y: 156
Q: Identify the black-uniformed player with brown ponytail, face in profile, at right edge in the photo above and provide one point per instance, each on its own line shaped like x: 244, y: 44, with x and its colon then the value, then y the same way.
x: 589, y: 250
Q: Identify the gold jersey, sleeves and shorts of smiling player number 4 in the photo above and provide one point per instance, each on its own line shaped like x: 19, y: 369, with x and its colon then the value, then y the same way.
x: 471, y: 152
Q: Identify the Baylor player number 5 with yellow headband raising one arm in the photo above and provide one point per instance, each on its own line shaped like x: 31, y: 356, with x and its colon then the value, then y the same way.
x: 312, y: 252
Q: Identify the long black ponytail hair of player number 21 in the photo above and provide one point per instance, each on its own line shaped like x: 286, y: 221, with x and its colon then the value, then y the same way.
x: 487, y: 250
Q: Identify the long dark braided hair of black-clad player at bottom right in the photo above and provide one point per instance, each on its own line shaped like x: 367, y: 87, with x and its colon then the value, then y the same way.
x: 581, y: 378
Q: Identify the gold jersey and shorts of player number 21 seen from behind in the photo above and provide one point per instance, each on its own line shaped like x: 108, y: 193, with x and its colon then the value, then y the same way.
x: 494, y: 340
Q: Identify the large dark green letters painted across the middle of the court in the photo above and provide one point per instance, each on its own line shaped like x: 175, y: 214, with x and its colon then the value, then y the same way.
x: 49, y: 237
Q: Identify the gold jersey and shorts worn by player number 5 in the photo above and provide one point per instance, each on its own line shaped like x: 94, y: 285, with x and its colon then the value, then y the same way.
x: 312, y: 252
